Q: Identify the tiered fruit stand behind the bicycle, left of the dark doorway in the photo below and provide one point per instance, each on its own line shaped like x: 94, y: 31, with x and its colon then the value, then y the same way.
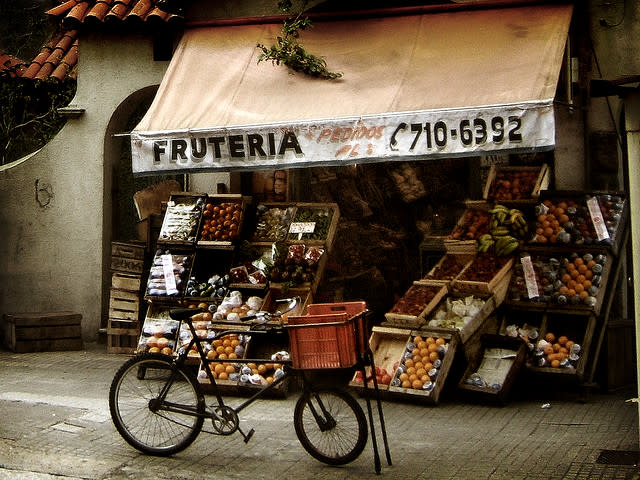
x: 227, y: 259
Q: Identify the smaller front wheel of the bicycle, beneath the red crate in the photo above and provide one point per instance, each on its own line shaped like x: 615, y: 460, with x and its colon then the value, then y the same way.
x: 330, y: 425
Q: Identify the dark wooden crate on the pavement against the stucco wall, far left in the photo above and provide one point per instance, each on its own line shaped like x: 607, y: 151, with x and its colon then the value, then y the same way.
x: 42, y: 332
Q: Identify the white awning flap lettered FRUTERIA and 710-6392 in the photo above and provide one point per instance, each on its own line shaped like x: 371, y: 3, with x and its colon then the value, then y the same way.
x: 423, y: 134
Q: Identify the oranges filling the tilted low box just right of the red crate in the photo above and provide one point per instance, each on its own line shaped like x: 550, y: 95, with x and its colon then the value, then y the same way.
x: 421, y: 363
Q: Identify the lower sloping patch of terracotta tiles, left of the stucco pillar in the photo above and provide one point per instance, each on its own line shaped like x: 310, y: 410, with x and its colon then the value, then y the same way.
x: 57, y: 58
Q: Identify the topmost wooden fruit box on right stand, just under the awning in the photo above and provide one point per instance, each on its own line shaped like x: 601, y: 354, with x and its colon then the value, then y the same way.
x: 538, y: 178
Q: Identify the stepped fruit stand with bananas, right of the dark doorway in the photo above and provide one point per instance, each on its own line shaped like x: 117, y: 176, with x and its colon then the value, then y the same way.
x: 528, y: 276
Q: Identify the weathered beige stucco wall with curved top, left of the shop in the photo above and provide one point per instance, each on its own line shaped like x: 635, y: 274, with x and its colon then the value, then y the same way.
x: 51, y: 256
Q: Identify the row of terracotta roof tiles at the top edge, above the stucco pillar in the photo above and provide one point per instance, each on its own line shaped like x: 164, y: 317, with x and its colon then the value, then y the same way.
x: 75, y: 13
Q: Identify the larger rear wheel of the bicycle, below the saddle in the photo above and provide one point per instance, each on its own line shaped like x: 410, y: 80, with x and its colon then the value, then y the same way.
x: 148, y: 422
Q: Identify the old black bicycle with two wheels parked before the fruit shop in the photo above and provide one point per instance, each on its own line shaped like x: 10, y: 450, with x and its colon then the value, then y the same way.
x: 158, y: 406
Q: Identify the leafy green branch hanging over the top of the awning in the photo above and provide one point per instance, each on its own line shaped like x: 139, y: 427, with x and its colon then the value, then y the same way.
x: 288, y: 51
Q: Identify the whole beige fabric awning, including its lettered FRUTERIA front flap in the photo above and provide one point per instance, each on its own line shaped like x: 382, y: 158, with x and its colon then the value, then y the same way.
x: 424, y: 86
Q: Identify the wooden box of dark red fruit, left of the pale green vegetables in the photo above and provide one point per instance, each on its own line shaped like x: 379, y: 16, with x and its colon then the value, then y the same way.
x: 400, y: 317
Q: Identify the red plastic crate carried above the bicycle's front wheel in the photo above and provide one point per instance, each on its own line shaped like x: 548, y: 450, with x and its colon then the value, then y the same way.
x: 322, y: 341
